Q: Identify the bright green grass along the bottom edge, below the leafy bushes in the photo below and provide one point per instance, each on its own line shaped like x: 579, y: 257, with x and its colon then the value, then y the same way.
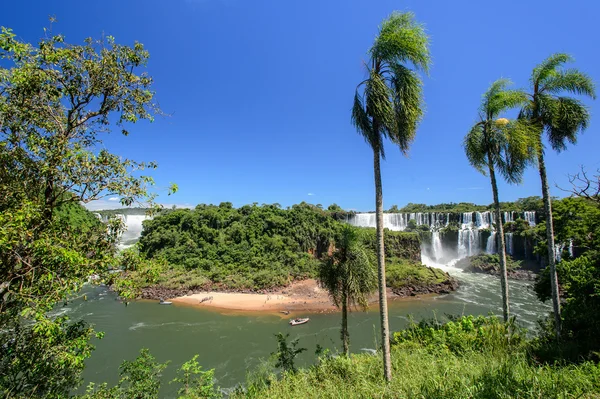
x: 419, y: 373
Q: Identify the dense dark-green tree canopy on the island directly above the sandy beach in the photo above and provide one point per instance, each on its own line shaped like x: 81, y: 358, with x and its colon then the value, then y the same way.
x: 252, y: 247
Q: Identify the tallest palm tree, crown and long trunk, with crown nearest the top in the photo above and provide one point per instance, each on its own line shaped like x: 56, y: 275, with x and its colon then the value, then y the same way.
x: 388, y: 104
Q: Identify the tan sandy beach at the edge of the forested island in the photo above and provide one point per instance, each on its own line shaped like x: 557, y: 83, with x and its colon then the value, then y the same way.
x: 303, y: 295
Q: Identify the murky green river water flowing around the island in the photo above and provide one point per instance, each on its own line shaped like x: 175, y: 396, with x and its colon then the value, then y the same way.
x: 234, y: 343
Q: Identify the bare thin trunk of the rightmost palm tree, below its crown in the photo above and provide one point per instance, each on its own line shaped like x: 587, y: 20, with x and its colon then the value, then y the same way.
x: 550, y: 238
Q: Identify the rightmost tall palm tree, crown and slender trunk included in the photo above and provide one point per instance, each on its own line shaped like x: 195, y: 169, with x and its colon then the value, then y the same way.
x: 561, y: 118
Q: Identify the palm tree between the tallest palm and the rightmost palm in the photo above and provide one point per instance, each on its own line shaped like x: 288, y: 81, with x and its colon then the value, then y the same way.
x: 497, y: 144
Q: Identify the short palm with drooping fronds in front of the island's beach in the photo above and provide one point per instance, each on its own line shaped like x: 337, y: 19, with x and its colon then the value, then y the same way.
x: 349, y: 277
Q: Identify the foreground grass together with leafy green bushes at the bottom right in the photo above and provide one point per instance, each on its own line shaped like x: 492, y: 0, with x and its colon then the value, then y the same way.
x: 467, y: 358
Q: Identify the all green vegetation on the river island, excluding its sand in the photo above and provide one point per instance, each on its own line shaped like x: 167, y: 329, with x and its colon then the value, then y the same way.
x: 249, y: 248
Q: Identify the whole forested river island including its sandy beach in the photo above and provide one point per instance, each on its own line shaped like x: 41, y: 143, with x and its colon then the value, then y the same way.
x: 260, y: 249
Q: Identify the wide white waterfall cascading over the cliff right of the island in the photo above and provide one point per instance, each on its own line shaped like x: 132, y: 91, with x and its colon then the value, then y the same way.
x: 469, y: 233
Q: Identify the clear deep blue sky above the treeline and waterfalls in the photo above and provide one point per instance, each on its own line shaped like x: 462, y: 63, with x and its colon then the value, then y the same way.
x: 259, y: 92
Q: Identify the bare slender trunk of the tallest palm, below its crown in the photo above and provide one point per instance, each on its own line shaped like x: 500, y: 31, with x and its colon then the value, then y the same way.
x: 385, y: 328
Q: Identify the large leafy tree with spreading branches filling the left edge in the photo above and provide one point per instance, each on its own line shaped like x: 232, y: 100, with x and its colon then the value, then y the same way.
x: 56, y: 102
